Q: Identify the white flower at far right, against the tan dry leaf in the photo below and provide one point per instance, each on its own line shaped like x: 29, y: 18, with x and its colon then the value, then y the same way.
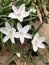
x: 37, y: 42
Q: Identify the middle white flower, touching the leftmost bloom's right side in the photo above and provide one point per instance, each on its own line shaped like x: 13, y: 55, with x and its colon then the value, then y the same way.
x: 23, y: 32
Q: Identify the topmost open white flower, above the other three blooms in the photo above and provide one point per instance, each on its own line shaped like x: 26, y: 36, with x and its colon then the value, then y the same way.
x: 19, y: 13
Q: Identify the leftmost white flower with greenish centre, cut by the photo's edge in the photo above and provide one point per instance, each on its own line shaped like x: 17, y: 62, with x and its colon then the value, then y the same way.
x: 9, y: 32
